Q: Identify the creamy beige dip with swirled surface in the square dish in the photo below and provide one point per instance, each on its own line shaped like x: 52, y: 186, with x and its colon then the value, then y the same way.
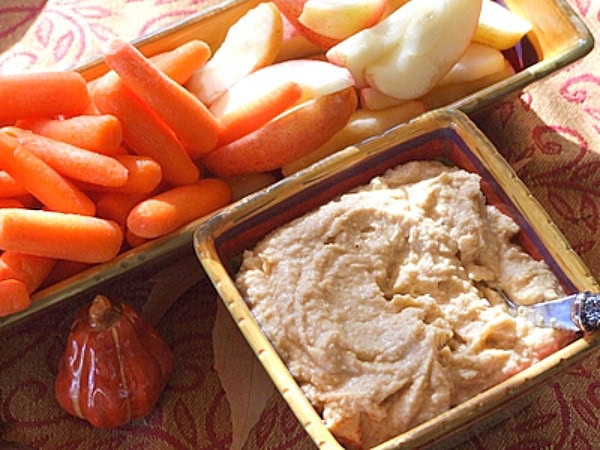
x: 373, y: 300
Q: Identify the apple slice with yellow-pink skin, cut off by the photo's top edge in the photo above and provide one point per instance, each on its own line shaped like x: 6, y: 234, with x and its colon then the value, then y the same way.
x: 339, y: 19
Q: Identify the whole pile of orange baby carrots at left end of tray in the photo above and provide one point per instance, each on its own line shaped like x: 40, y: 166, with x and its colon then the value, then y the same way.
x: 91, y: 169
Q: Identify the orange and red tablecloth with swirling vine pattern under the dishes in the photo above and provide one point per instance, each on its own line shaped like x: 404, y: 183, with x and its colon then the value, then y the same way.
x: 550, y: 133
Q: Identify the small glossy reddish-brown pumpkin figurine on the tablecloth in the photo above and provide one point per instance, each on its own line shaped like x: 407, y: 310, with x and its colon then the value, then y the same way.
x: 115, y: 366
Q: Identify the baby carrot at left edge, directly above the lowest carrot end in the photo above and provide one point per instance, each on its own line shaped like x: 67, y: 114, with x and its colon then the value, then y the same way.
x: 31, y: 270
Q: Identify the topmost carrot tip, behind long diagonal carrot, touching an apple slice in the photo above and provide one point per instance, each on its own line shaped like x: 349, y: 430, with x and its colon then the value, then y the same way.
x: 180, y: 63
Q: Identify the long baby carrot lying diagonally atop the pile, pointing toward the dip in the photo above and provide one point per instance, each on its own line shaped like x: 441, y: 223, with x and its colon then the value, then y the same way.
x: 190, y: 120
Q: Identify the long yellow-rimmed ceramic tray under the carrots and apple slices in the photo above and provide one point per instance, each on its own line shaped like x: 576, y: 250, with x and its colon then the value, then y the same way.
x: 558, y: 38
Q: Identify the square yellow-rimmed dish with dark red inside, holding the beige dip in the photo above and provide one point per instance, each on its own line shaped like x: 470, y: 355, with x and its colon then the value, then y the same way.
x: 442, y: 135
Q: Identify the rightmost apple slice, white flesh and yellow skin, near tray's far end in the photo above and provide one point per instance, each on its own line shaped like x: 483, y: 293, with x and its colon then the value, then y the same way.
x: 499, y: 27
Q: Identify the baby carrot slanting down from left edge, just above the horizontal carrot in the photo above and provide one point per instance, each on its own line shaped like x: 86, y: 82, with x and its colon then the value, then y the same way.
x: 41, y: 180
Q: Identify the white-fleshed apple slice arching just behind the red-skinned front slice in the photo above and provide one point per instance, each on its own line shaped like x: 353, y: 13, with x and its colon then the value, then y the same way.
x: 315, y: 78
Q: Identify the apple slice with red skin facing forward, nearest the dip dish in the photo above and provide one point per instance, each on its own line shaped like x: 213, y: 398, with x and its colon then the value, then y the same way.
x: 285, y: 138
